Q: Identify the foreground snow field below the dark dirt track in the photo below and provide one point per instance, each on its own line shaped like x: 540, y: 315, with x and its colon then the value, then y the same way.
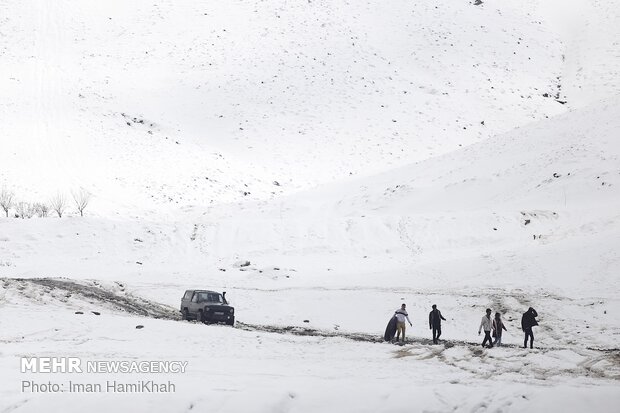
x: 235, y: 370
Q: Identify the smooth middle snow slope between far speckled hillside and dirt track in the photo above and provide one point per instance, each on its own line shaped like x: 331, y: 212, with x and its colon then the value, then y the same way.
x: 490, y: 221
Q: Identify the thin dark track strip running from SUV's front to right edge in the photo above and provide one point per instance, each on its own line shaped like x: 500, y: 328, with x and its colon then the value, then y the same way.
x: 370, y: 338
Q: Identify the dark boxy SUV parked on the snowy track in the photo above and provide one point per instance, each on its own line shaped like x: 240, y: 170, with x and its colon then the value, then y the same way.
x: 207, y: 306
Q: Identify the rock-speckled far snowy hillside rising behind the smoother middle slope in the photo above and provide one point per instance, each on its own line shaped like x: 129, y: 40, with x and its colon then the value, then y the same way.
x: 148, y: 103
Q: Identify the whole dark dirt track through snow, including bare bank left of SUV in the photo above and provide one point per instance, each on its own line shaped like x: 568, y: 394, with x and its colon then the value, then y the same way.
x: 114, y: 297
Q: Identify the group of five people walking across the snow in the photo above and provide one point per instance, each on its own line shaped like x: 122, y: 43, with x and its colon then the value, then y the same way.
x: 493, y: 327
